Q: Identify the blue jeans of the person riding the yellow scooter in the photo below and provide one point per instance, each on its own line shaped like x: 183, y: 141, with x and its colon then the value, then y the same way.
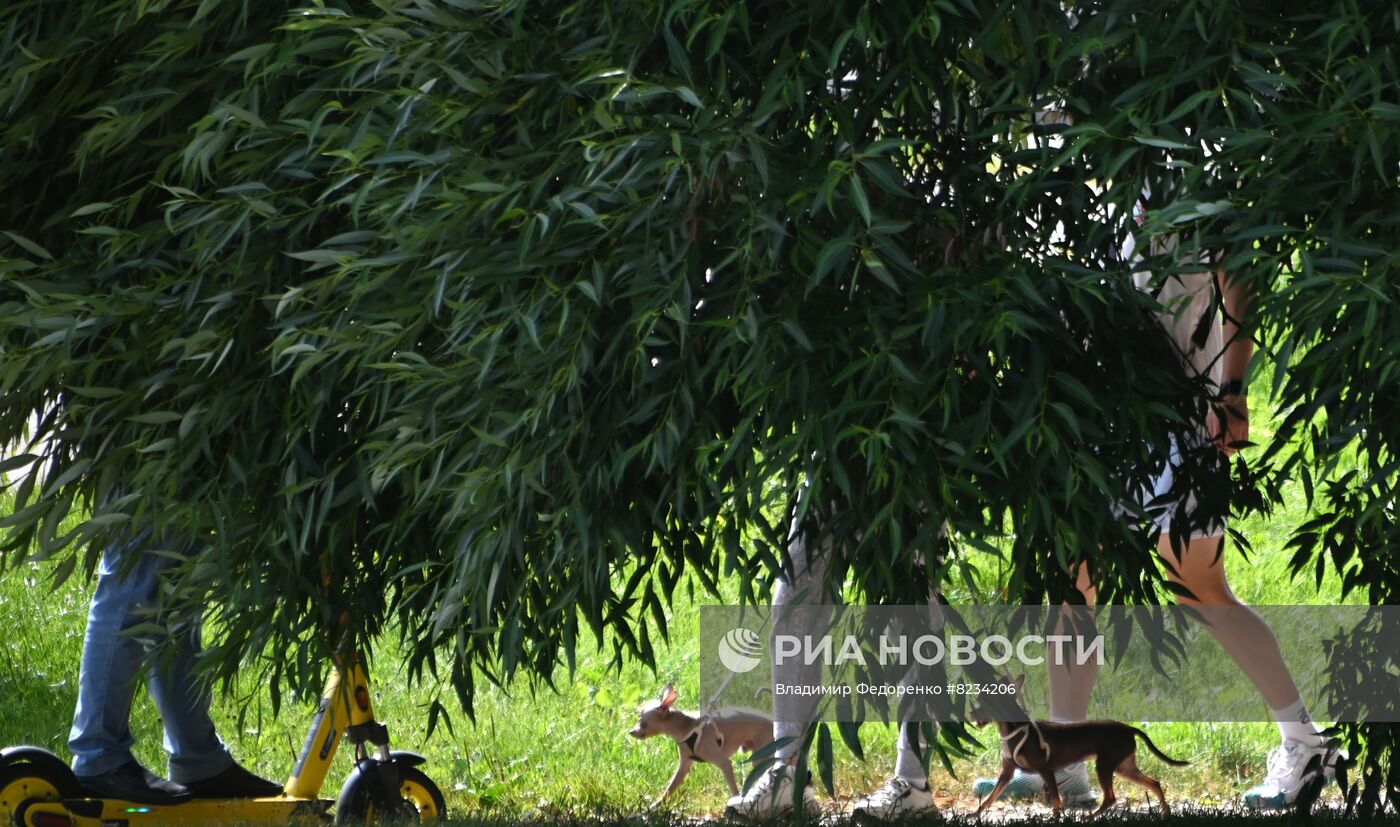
x: 101, y: 737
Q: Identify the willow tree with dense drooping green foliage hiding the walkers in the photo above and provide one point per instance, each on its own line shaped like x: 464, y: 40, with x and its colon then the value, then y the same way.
x: 491, y: 323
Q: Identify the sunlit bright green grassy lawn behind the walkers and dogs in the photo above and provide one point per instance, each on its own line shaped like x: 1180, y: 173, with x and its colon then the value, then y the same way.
x: 569, y: 754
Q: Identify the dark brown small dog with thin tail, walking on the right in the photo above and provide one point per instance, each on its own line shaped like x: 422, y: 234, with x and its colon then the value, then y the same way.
x: 1044, y: 748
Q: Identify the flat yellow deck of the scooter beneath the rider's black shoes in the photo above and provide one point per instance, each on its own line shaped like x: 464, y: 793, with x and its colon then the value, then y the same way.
x: 120, y: 814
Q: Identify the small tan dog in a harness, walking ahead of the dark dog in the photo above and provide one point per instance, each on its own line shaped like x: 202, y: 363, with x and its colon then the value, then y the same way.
x: 708, y: 740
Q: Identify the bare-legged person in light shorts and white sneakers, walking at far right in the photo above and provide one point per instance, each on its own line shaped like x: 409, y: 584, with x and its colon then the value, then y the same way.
x: 1203, y: 313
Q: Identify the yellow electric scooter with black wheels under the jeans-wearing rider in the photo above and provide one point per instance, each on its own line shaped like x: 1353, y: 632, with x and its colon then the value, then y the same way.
x: 38, y: 790
